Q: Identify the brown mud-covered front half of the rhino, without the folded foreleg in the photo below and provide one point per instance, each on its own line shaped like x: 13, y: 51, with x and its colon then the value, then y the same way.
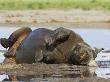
x: 73, y: 51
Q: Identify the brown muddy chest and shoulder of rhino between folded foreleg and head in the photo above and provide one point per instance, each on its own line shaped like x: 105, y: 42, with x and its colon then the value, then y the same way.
x: 60, y: 53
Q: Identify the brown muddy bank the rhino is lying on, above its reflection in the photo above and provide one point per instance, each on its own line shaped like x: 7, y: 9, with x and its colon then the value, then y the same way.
x: 39, y: 69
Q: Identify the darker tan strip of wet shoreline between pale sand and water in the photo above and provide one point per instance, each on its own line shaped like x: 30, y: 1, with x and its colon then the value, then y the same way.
x: 56, y: 25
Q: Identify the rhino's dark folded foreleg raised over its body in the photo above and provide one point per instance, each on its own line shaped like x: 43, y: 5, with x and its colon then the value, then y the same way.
x: 59, y: 35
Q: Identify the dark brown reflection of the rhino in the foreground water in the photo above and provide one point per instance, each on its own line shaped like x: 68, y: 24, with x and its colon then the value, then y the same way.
x: 64, y: 72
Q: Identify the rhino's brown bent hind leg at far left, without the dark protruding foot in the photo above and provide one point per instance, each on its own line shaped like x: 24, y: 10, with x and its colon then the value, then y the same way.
x: 16, y: 39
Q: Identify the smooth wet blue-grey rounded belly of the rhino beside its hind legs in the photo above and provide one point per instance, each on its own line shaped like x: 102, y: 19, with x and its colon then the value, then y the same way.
x: 32, y: 48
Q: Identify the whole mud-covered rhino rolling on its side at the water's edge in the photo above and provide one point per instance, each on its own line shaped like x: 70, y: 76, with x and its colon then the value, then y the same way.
x: 49, y: 46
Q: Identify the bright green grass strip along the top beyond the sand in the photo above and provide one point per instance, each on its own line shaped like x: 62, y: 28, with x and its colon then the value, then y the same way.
x: 53, y: 4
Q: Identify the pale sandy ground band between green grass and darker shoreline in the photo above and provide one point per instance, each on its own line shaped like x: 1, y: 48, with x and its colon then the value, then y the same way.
x: 54, y: 16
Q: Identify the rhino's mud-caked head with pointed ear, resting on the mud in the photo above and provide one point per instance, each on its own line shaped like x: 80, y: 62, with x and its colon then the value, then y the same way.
x: 83, y: 54
